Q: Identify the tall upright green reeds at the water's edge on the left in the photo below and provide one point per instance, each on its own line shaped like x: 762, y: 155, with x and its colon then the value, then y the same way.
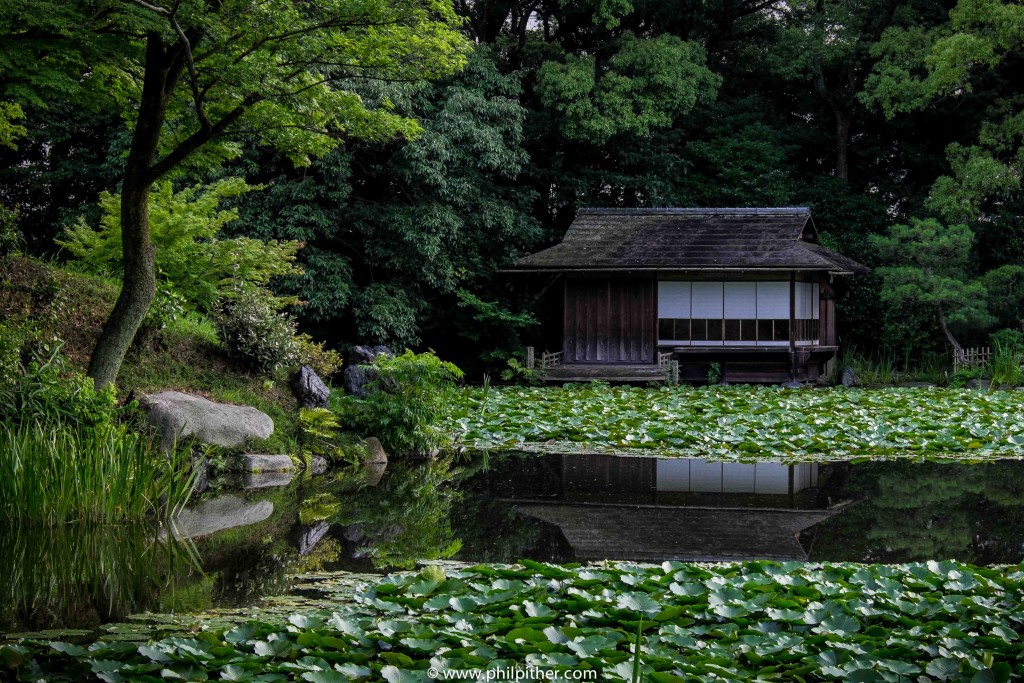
x: 54, y: 474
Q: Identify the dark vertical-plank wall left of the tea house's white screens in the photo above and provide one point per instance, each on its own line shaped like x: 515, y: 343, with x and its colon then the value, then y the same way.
x: 610, y: 320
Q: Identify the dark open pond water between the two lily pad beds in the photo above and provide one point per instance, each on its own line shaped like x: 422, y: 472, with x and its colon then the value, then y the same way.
x: 238, y: 546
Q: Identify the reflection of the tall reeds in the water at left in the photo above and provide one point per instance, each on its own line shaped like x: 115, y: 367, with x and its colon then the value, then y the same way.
x: 81, y: 577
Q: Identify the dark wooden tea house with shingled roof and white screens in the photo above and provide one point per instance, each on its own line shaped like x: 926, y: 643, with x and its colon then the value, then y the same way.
x: 646, y: 291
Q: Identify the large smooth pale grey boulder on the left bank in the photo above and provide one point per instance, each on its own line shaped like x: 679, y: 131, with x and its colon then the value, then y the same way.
x: 177, y: 416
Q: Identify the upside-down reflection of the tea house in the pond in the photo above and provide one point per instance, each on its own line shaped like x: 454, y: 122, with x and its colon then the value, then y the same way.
x: 648, y: 509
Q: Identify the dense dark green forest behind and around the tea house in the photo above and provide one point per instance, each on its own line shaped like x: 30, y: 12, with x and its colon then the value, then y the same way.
x: 874, y: 113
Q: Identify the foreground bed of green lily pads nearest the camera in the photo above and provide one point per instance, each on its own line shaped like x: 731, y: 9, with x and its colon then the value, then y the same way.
x: 934, y: 622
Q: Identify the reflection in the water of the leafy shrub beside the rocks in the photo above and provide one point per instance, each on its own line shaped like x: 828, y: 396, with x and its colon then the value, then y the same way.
x: 407, y: 518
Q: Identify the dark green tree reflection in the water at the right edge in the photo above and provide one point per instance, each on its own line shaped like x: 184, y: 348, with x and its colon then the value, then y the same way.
x: 914, y: 511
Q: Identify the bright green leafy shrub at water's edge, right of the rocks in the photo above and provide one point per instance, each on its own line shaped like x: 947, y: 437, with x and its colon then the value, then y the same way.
x: 410, y: 402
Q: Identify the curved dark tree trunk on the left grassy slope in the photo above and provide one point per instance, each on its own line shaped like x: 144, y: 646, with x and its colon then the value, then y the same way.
x: 140, y: 268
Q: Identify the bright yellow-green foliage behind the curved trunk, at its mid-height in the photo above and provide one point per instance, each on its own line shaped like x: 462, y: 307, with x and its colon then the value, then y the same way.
x: 195, y: 263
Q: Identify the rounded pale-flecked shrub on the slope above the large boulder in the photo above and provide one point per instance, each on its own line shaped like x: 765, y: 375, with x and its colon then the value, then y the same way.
x: 255, y: 332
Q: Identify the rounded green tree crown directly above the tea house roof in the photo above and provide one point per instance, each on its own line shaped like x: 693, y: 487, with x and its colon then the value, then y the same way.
x: 646, y: 86
